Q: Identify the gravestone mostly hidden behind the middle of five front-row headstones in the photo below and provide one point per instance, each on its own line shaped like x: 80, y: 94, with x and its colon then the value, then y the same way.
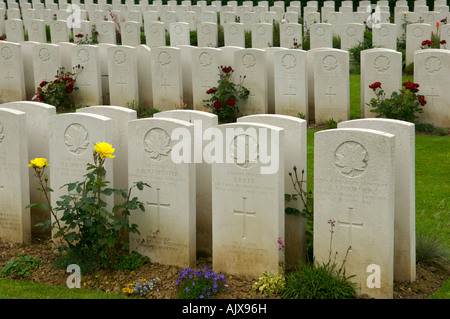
x: 202, y: 122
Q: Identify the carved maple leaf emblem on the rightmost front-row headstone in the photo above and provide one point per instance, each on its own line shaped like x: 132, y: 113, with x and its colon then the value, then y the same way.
x: 351, y: 158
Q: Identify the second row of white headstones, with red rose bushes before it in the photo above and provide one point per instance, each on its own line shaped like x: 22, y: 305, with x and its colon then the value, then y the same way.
x: 314, y: 83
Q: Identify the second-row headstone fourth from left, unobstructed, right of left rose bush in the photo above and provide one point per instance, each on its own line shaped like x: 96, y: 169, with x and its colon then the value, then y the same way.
x: 122, y: 75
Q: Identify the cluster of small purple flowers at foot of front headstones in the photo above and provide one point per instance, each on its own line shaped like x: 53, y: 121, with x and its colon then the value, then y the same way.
x: 200, y: 283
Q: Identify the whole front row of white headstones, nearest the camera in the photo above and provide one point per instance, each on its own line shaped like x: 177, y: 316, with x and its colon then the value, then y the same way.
x: 364, y: 182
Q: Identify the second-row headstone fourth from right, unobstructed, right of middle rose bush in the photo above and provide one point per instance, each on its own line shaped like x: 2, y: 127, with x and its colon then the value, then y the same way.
x: 291, y: 83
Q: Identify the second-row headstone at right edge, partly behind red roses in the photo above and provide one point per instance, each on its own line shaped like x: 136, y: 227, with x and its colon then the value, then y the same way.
x: 431, y: 72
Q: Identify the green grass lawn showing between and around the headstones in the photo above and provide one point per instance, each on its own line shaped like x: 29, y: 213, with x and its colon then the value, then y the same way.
x: 432, y: 207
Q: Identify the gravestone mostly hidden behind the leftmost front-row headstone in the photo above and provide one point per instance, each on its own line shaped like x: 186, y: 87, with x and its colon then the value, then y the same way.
x: 37, y: 115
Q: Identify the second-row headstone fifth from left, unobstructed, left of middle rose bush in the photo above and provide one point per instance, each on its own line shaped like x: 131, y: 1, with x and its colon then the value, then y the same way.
x: 166, y: 77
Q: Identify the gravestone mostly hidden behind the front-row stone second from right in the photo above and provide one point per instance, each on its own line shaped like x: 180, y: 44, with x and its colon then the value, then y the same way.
x: 295, y: 155
